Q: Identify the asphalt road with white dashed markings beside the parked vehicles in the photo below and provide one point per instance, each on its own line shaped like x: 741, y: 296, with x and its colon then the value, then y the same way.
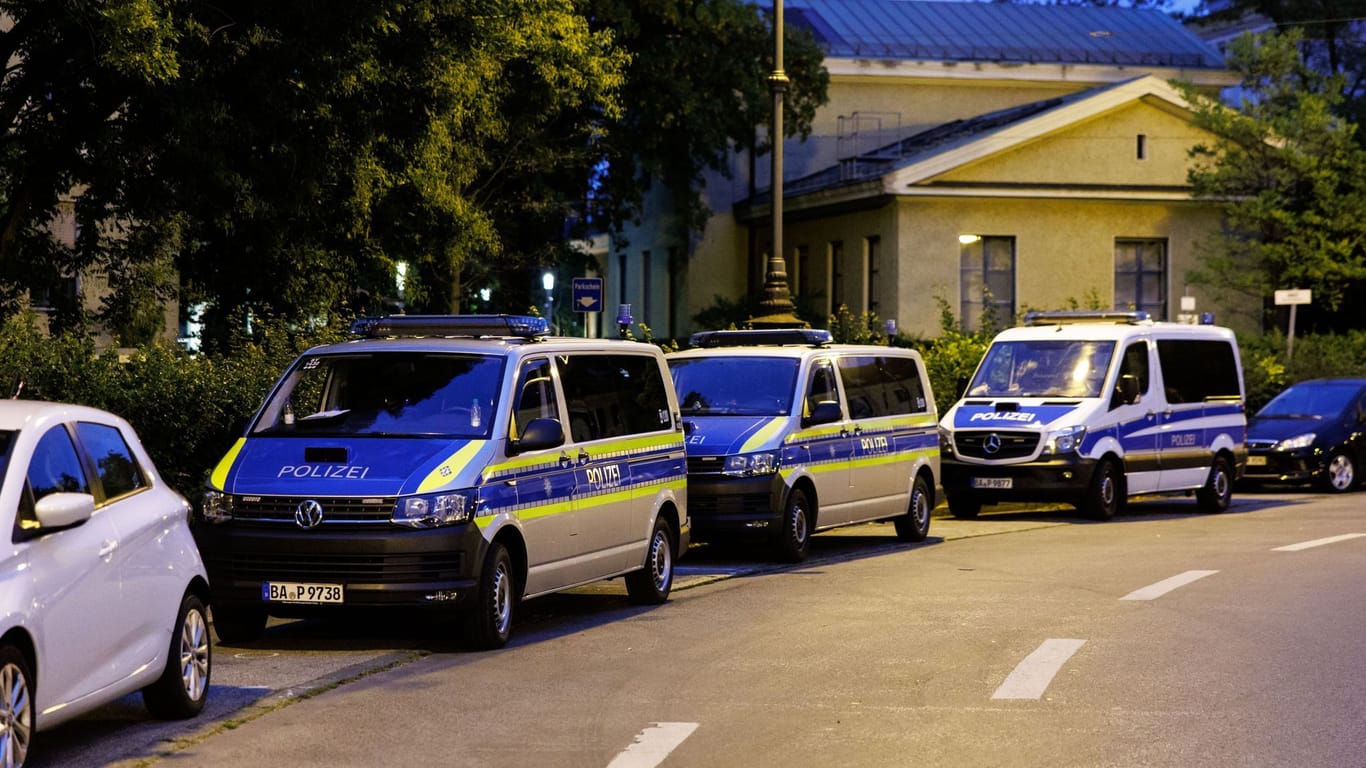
x: 1166, y: 637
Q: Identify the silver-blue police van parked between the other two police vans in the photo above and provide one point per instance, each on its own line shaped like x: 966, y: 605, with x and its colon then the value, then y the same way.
x: 789, y: 434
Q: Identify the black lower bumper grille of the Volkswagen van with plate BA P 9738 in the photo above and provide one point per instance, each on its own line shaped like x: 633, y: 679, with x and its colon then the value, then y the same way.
x: 339, y: 569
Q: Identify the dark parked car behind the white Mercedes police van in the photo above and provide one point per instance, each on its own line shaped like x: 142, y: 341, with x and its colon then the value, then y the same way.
x: 1312, y: 433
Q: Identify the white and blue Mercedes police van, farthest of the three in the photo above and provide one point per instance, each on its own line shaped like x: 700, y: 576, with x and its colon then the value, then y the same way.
x: 1093, y: 408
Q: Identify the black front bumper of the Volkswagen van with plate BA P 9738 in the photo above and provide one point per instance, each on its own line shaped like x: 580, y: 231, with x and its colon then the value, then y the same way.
x: 400, y: 568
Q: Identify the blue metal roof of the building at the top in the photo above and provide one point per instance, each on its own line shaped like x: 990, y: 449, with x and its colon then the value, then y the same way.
x: 1003, y: 33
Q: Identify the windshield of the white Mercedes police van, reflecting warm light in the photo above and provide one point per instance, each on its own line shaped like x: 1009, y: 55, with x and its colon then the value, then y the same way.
x: 1043, y: 370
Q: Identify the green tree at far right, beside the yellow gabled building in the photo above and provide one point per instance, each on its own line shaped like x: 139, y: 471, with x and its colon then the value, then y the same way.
x: 1292, y: 177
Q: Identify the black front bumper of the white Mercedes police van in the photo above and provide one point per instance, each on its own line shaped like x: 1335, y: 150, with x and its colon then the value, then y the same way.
x: 1054, y: 480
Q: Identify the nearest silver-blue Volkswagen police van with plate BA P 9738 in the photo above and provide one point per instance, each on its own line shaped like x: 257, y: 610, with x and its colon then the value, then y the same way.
x: 456, y: 463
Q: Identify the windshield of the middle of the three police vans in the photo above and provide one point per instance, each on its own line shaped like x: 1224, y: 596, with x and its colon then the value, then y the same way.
x: 734, y: 386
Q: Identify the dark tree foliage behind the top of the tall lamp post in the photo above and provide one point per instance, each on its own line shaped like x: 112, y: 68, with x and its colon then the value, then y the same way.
x: 696, y: 88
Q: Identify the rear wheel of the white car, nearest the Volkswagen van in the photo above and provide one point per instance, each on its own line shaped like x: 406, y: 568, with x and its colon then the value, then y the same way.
x: 184, y: 685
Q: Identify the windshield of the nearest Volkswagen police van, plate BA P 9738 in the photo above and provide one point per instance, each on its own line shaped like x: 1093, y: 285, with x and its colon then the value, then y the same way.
x: 386, y: 394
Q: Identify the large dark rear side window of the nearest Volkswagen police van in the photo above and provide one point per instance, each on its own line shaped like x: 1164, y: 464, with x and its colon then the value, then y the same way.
x: 614, y: 396
